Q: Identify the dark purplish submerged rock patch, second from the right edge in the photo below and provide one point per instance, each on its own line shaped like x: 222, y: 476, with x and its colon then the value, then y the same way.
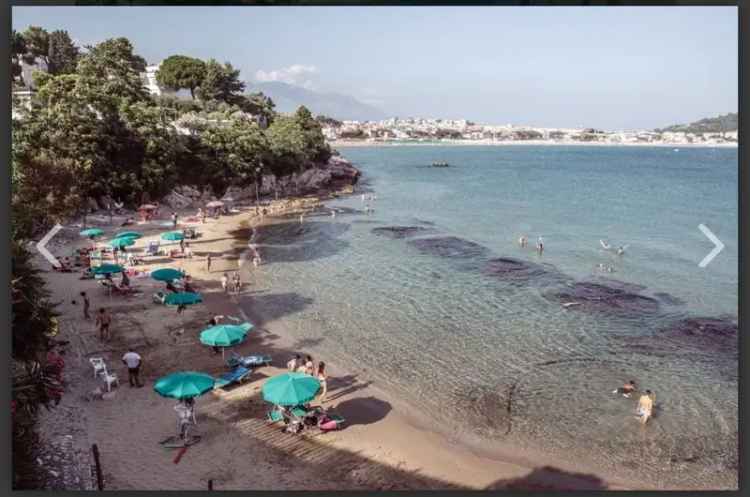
x: 595, y: 296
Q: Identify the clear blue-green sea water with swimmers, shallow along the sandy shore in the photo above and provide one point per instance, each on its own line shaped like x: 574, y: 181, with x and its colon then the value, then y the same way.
x: 463, y: 345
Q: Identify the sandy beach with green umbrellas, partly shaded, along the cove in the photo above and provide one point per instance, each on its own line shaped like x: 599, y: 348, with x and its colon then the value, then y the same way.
x: 383, y: 445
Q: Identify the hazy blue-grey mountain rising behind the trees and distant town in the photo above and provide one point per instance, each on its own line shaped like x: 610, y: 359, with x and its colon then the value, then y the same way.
x: 342, y: 107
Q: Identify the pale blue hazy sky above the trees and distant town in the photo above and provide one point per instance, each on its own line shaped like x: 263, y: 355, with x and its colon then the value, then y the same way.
x: 608, y: 67
